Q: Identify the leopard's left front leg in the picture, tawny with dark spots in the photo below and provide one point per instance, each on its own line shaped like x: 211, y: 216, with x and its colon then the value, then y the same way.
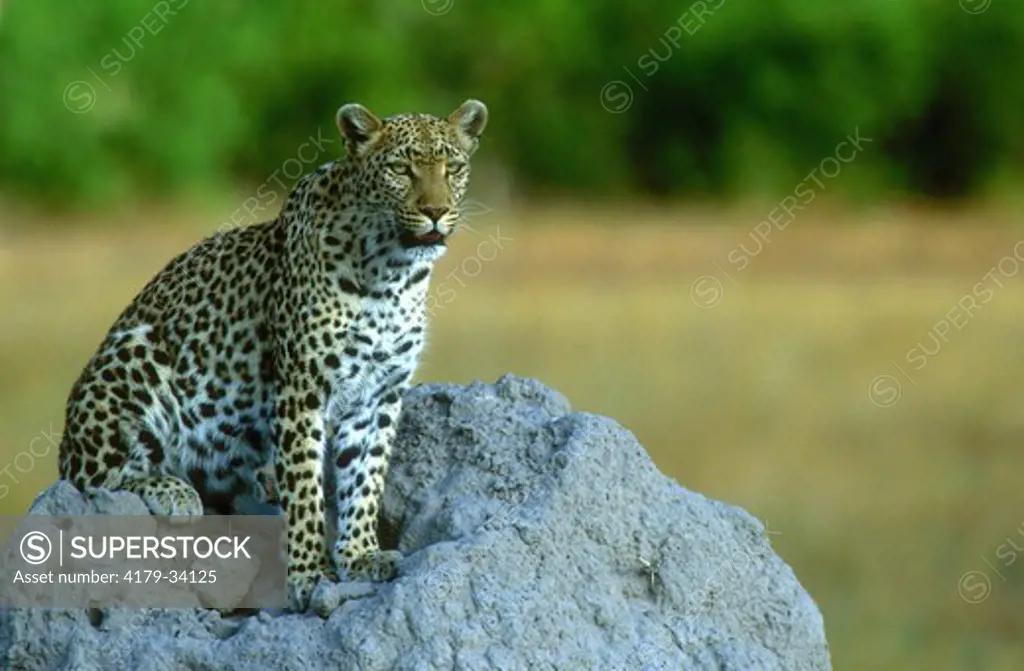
x: 298, y: 463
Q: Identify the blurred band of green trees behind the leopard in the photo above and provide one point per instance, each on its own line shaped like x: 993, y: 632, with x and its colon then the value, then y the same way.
x: 110, y: 100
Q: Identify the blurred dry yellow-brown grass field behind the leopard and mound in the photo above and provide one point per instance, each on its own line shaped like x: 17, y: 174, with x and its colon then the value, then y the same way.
x: 764, y: 392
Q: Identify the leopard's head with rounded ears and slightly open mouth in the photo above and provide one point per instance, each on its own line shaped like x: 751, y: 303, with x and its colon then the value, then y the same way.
x: 415, y: 167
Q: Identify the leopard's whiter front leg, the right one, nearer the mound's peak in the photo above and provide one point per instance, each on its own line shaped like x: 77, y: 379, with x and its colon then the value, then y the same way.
x: 365, y: 443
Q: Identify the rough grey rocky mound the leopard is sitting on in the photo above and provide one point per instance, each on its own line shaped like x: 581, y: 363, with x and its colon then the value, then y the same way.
x: 535, y: 538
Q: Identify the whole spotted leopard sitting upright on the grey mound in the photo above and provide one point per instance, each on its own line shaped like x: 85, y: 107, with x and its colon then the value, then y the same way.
x: 265, y: 368
